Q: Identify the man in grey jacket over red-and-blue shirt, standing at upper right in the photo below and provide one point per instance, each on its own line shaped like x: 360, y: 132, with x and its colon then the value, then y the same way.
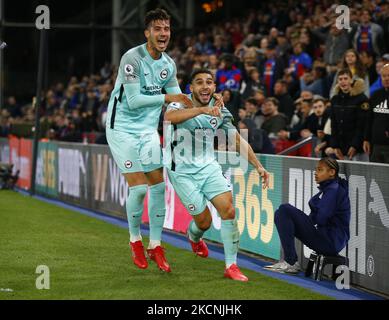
x: 368, y: 35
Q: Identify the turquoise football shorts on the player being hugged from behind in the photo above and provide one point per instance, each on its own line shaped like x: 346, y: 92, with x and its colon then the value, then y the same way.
x: 195, y: 189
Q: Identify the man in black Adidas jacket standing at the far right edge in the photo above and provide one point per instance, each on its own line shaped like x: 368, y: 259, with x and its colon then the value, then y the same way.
x: 377, y: 135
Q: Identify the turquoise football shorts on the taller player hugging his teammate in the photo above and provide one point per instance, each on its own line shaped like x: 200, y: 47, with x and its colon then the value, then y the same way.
x: 135, y: 152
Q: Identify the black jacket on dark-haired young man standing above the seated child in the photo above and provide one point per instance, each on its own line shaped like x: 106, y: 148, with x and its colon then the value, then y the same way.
x: 349, y: 115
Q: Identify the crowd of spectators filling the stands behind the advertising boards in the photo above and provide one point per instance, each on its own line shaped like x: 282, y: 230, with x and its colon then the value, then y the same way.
x: 279, y: 69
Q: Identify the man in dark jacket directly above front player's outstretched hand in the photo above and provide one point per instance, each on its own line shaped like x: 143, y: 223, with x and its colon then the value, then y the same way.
x: 274, y: 121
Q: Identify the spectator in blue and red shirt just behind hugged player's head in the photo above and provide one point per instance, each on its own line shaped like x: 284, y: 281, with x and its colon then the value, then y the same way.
x: 228, y: 75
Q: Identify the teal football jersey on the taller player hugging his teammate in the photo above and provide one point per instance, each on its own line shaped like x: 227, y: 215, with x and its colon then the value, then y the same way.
x: 136, y: 101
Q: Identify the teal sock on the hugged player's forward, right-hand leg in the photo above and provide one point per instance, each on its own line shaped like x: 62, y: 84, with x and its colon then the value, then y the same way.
x: 230, y: 237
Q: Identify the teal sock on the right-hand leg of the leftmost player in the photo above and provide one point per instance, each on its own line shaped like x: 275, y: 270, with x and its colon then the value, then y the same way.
x: 156, y: 210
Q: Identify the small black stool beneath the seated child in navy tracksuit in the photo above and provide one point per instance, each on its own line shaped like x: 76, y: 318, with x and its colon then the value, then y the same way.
x: 317, y: 263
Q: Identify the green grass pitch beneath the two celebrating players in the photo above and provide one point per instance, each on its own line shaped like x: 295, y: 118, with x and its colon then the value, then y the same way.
x: 90, y: 259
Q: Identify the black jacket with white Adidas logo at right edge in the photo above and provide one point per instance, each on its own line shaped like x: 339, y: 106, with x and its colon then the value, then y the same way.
x: 378, y: 128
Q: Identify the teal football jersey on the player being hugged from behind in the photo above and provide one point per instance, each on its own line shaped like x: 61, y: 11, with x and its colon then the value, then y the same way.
x: 190, y: 144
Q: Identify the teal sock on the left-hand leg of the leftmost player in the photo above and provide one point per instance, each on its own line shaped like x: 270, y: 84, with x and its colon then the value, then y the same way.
x: 134, y: 208
